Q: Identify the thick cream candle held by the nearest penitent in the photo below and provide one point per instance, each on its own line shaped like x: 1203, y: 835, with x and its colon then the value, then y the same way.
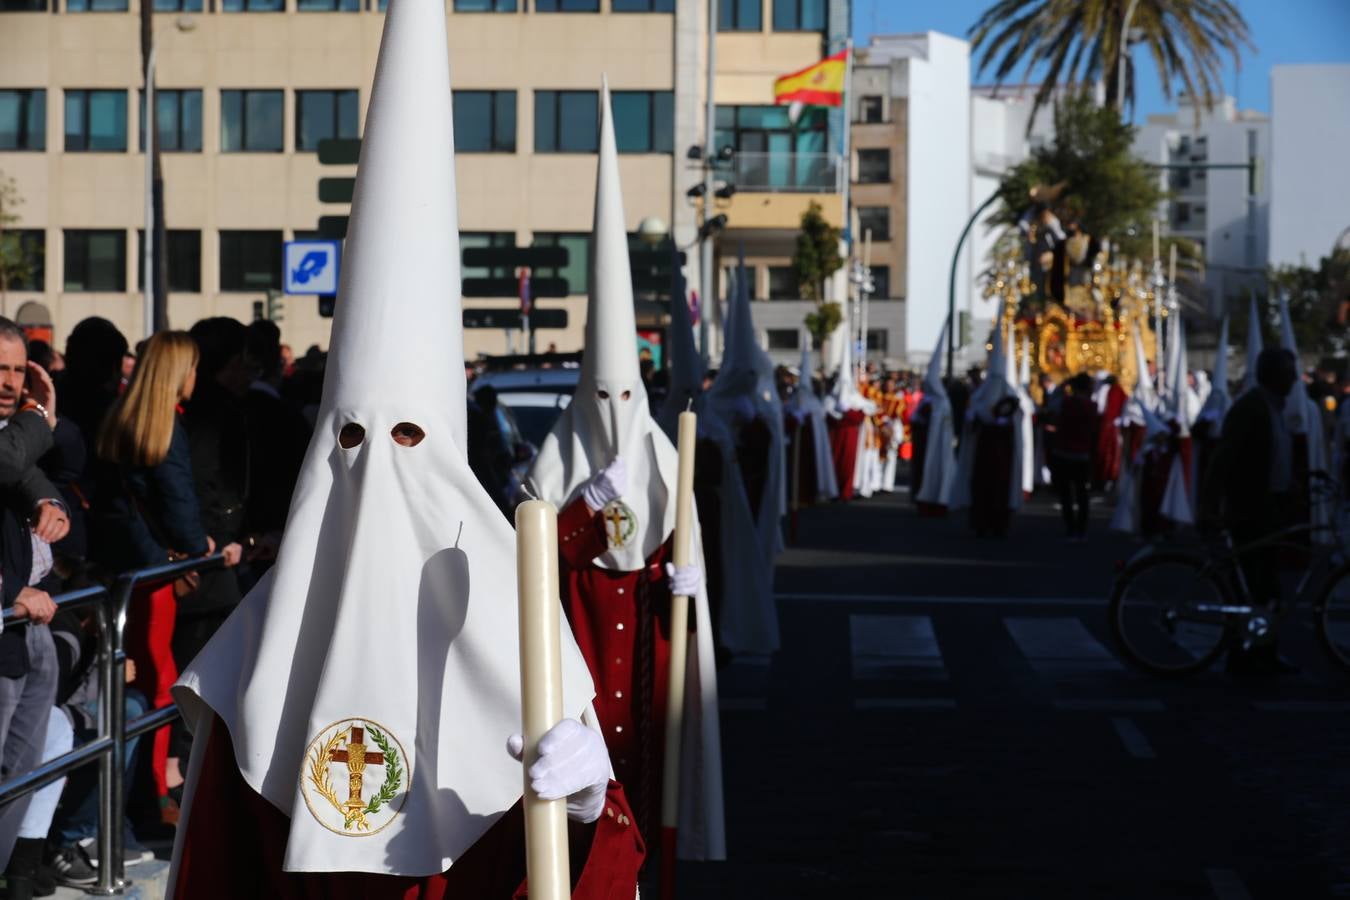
x: 541, y: 693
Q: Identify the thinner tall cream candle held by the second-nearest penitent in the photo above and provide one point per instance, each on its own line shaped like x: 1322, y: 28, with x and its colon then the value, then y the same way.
x: 680, y: 654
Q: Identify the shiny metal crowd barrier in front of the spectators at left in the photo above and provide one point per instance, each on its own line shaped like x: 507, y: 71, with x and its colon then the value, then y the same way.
x: 110, y: 747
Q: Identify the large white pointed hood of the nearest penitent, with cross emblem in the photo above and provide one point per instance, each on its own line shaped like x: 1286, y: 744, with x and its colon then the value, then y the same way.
x: 387, y: 632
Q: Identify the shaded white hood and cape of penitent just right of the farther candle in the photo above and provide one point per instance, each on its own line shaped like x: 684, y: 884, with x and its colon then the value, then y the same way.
x: 746, y: 392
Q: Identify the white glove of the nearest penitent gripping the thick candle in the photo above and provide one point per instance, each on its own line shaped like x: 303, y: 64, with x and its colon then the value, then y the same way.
x: 573, y: 763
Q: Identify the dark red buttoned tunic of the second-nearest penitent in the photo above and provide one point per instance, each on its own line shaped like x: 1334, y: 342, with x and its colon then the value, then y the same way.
x: 610, y: 613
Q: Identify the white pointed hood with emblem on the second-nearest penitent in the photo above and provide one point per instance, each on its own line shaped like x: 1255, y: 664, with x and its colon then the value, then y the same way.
x: 610, y: 415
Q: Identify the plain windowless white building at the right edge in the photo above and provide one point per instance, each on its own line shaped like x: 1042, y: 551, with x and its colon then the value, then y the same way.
x: 1310, y: 163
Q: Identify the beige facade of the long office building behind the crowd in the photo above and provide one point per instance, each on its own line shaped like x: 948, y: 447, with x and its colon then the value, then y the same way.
x: 522, y: 192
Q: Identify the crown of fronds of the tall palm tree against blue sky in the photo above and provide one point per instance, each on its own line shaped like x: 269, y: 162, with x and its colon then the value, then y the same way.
x: 1079, y: 41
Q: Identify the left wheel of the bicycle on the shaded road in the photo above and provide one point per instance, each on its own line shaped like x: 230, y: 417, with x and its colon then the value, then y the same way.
x: 1168, y: 615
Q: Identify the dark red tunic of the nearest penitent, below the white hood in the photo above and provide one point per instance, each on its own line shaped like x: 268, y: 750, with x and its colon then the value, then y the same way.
x: 237, y: 843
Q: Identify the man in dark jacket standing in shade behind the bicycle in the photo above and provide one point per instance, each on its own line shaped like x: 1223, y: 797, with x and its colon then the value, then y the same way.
x: 1249, y: 486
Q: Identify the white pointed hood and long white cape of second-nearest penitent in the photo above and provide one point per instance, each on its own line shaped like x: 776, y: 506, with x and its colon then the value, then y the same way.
x: 610, y: 418
